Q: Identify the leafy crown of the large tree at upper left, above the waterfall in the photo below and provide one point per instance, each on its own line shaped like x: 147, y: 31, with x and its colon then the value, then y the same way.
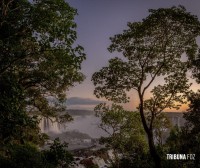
x: 37, y: 48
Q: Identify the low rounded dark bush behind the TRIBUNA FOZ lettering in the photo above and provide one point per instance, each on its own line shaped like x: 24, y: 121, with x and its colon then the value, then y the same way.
x: 180, y: 141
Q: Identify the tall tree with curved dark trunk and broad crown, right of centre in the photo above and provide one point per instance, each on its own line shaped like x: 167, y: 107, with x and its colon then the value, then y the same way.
x: 152, y: 50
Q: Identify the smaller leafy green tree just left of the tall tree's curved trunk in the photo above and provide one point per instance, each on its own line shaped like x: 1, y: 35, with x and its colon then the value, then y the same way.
x: 126, y: 135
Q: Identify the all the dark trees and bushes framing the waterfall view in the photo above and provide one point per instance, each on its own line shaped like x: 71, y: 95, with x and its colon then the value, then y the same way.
x: 40, y: 61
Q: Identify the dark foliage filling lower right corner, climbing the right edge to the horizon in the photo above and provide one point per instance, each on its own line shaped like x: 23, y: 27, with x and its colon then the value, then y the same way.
x: 187, y: 139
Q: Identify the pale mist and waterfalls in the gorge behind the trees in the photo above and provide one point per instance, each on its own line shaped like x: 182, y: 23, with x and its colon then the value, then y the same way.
x: 86, y: 122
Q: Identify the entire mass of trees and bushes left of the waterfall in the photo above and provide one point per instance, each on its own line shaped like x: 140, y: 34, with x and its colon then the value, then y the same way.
x: 39, y: 62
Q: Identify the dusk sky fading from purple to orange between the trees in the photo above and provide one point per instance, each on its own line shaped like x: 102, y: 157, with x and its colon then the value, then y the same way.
x: 97, y: 21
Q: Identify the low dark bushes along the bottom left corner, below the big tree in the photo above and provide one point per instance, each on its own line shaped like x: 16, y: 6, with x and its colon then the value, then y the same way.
x: 28, y: 156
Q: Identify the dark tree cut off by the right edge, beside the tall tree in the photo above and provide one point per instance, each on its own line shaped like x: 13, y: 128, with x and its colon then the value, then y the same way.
x: 193, y: 113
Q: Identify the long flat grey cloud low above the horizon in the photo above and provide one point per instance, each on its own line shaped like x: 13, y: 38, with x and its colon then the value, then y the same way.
x: 82, y: 101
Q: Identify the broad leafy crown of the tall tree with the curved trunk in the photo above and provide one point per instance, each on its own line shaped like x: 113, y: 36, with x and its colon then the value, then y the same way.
x: 151, y: 48
